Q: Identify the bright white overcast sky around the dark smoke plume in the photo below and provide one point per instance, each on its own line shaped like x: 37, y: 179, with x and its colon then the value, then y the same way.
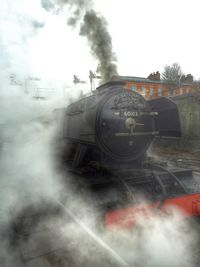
x: 146, y: 35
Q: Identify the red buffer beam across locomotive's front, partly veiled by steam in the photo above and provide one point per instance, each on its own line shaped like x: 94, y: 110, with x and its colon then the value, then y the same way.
x: 189, y: 205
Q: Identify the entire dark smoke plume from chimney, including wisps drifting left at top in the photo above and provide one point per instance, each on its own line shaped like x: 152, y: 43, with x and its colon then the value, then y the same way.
x: 94, y: 28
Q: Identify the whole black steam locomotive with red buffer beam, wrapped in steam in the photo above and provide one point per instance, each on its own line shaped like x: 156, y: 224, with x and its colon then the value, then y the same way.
x: 104, y: 138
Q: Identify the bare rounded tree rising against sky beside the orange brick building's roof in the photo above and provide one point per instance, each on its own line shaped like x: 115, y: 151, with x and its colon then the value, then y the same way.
x: 172, y: 73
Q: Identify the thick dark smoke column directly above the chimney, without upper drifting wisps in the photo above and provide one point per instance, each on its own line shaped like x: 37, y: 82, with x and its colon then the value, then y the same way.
x: 94, y: 28
